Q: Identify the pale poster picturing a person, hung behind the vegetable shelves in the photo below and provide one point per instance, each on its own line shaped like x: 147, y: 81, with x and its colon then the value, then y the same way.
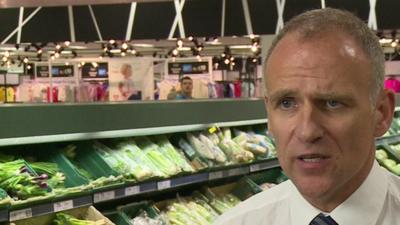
x: 131, y: 79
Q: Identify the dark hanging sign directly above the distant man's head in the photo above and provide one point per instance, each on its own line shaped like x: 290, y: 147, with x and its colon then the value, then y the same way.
x: 177, y: 68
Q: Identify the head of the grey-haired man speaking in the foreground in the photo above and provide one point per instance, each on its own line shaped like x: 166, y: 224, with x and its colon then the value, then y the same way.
x: 326, y: 104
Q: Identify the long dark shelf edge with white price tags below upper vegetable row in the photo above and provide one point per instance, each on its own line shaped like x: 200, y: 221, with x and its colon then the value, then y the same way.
x: 137, y: 189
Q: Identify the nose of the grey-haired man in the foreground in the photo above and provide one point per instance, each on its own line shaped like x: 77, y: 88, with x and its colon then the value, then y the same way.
x: 309, y: 128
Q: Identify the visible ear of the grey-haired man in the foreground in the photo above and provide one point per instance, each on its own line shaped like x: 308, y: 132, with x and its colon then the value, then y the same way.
x: 385, y: 104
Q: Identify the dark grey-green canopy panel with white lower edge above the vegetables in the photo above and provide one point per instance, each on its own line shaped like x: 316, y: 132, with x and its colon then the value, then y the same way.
x: 28, y: 124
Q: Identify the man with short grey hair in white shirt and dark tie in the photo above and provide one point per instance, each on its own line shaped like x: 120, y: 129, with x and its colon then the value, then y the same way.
x: 326, y: 104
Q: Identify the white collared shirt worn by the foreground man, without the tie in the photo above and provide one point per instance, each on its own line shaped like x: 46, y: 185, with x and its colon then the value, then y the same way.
x: 375, y: 202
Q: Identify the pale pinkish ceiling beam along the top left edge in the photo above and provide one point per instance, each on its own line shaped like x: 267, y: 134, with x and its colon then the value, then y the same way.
x: 46, y: 3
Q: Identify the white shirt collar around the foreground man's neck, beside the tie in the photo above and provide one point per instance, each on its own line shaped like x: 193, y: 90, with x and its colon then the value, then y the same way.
x: 361, y: 207
